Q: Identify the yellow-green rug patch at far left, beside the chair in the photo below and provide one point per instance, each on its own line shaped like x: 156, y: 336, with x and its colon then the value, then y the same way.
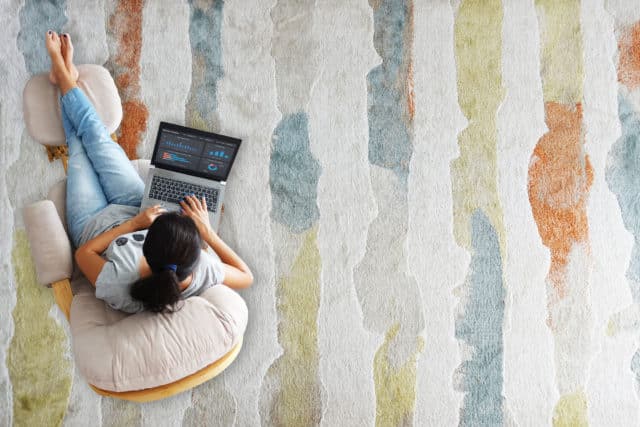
x: 39, y: 371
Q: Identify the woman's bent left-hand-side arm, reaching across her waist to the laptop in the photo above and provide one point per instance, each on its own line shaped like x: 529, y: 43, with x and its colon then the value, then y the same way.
x: 88, y: 255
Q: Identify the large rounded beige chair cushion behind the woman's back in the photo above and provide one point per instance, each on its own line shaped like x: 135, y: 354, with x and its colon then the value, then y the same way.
x: 120, y: 352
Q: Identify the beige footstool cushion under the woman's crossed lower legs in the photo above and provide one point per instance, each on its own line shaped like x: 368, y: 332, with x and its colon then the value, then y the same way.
x: 41, y: 103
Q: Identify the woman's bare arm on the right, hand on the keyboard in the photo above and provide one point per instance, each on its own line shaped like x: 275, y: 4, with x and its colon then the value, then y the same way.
x: 237, y: 274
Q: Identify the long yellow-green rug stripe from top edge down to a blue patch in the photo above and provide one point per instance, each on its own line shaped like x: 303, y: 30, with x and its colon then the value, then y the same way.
x: 478, y: 48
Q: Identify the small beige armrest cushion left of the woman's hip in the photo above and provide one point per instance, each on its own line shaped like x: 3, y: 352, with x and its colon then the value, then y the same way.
x: 50, y: 246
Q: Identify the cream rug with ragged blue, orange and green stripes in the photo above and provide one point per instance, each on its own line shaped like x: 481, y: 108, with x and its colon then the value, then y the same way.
x: 439, y: 201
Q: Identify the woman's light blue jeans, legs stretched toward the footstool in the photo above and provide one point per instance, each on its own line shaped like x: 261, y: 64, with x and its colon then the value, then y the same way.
x: 99, y: 172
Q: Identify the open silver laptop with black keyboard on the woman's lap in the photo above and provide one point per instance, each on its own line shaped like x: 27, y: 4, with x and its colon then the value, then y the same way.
x: 189, y: 161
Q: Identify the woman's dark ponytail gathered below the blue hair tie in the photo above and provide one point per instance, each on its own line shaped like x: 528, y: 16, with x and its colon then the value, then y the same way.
x: 159, y: 293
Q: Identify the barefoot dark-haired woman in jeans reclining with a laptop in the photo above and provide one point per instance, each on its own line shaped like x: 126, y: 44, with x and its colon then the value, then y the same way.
x: 136, y: 260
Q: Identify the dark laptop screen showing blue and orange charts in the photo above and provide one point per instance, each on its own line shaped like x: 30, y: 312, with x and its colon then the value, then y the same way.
x: 194, y: 152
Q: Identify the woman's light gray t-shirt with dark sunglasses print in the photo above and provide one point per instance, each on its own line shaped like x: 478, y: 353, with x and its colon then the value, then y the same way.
x: 122, y: 270
